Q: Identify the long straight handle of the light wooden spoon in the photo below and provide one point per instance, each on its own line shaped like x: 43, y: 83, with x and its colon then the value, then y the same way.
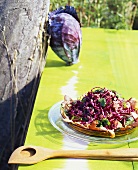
x: 106, y: 153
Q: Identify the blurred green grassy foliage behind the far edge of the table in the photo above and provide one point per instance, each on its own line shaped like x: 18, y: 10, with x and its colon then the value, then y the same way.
x: 111, y: 14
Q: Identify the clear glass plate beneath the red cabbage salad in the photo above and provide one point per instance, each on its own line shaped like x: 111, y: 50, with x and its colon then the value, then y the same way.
x: 55, y: 119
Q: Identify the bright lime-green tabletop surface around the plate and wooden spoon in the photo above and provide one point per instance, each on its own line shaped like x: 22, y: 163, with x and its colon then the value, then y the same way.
x: 108, y: 58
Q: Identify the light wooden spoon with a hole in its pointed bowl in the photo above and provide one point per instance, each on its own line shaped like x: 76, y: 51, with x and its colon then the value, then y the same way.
x: 35, y: 154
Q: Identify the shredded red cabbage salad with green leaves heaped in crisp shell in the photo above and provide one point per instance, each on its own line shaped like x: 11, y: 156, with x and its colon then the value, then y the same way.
x: 102, y: 109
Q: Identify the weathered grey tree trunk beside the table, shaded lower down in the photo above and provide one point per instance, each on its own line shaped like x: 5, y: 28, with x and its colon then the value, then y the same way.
x: 23, y: 47
